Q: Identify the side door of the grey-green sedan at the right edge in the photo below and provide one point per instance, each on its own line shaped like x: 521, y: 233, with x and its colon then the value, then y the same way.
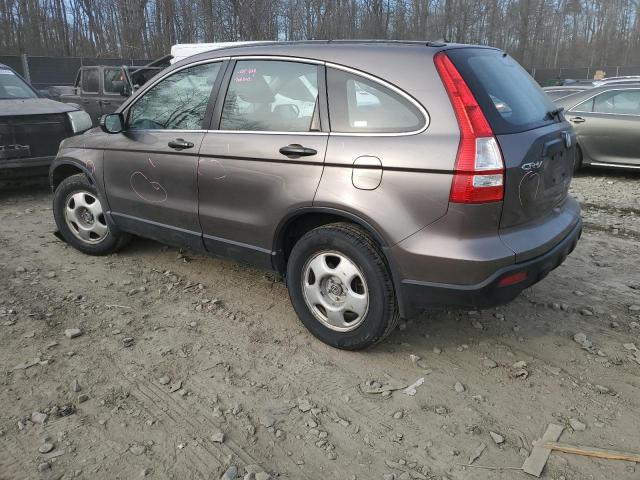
x: 608, y: 126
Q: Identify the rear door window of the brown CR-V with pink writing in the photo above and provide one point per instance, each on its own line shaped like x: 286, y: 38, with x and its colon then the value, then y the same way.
x: 270, y: 95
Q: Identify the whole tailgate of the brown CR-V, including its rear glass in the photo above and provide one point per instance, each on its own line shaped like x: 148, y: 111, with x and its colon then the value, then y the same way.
x: 537, y: 145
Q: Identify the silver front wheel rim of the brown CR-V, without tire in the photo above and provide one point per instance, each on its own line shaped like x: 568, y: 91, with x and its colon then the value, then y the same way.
x: 84, y: 216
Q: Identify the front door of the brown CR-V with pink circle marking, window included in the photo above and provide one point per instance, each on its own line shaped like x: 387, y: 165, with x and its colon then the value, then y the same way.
x: 151, y: 168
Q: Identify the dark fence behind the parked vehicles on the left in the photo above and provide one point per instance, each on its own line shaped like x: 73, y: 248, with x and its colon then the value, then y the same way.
x: 44, y: 72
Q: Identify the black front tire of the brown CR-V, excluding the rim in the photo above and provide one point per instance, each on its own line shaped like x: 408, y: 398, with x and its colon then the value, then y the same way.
x: 74, y: 184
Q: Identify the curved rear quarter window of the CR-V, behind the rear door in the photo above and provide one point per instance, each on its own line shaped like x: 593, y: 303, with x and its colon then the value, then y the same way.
x: 360, y: 105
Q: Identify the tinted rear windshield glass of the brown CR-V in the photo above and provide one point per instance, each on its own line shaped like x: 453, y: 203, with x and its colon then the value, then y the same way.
x: 511, y: 100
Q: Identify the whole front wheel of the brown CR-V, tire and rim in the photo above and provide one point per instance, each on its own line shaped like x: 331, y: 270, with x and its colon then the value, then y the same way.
x: 80, y: 217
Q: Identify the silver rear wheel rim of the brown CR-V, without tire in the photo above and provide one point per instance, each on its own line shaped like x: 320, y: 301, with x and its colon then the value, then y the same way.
x: 335, y: 291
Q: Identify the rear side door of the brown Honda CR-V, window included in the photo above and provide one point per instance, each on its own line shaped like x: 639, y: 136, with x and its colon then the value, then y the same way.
x: 264, y: 159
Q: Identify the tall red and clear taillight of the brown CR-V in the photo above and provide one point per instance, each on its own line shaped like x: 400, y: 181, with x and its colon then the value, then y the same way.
x: 479, y: 169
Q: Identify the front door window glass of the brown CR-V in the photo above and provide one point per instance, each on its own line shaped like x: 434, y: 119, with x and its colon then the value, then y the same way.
x: 179, y: 102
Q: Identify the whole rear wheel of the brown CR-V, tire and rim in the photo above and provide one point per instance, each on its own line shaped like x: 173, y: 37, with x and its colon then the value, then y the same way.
x: 341, y: 288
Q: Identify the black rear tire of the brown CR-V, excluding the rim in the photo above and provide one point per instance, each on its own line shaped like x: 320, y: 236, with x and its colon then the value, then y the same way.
x: 358, y: 247
